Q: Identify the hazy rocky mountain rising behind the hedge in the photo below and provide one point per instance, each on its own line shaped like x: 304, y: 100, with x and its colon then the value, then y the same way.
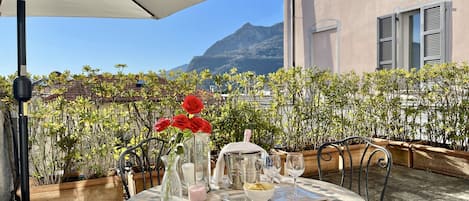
x: 250, y: 48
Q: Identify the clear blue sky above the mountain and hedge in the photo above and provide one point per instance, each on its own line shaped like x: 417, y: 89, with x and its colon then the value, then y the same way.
x: 58, y: 44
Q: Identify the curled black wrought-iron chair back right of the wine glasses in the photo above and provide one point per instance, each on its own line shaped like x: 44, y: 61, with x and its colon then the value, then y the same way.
x: 369, y: 156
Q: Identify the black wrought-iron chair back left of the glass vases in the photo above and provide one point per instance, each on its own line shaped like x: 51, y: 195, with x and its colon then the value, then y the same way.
x: 143, y: 158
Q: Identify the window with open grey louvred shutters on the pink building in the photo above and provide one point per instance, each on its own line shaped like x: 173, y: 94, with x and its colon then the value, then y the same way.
x: 412, y: 38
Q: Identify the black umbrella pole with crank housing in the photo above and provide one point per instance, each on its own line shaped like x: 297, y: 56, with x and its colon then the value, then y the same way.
x: 22, y: 91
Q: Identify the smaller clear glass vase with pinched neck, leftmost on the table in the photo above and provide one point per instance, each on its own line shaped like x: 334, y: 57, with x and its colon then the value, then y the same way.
x: 171, y: 184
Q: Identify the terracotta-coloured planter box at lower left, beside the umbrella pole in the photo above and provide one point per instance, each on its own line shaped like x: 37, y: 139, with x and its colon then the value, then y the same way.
x: 103, y: 189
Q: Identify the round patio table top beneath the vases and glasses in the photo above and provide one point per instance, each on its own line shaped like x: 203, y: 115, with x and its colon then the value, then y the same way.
x: 306, y: 190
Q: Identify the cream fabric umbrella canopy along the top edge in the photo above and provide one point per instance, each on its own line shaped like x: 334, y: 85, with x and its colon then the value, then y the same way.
x: 98, y: 8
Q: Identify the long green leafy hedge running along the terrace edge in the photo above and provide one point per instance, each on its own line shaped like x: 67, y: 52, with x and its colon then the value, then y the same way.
x: 293, y: 109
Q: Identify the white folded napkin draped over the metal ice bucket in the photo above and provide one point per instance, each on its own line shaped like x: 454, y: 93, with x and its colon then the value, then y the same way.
x: 242, y: 147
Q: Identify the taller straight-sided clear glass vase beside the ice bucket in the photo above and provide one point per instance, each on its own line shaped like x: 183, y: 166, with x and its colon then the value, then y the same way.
x: 195, y: 163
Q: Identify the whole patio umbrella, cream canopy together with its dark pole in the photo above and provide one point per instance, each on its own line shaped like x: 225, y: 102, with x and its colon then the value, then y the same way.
x: 151, y: 9
